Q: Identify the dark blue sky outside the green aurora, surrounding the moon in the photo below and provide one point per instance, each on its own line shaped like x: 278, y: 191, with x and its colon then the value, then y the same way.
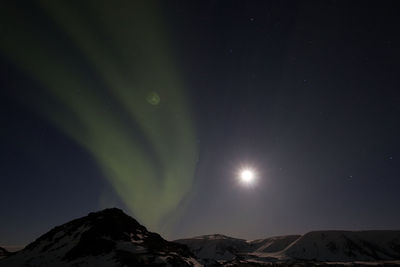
x: 304, y: 92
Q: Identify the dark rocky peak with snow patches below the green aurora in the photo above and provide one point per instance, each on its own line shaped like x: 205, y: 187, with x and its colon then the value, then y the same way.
x: 105, y: 238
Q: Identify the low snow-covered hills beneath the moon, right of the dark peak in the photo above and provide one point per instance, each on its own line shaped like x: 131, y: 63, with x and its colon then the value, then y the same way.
x: 313, y: 248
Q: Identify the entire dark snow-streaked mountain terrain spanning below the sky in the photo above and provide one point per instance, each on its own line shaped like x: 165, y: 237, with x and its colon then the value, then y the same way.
x: 112, y: 238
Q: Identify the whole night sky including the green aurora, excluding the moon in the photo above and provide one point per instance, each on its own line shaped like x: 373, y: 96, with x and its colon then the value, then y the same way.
x: 155, y: 107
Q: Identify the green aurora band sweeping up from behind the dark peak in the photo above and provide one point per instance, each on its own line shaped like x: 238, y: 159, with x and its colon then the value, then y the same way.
x: 92, y: 55
